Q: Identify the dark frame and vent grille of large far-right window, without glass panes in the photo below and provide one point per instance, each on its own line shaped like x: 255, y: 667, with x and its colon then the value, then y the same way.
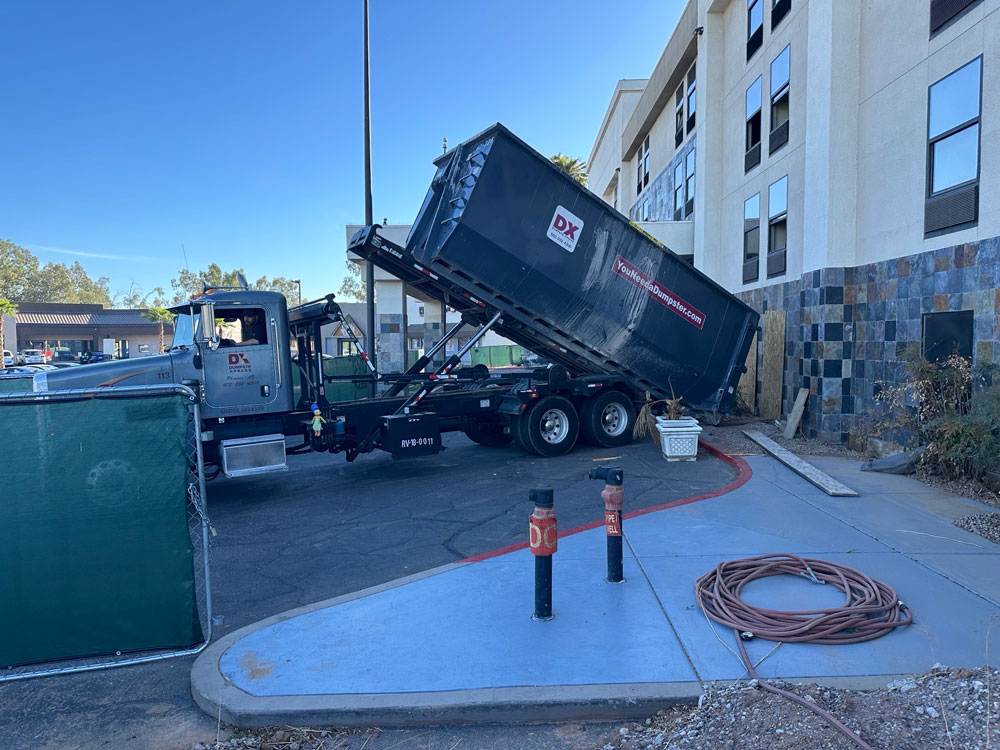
x: 965, y: 193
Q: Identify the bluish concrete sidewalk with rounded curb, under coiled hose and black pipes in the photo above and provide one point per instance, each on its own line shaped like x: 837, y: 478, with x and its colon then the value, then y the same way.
x: 457, y: 643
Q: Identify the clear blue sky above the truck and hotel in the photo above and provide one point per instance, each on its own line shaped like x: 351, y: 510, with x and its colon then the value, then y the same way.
x: 234, y: 129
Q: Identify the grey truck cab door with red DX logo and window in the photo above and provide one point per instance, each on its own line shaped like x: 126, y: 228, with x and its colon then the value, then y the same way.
x: 240, y: 375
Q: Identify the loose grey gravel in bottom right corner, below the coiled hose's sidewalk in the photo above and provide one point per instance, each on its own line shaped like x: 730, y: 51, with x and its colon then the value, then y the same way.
x: 939, y: 709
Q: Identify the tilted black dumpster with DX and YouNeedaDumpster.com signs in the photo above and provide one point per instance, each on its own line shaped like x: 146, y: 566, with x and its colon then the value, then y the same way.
x: 577, y: 283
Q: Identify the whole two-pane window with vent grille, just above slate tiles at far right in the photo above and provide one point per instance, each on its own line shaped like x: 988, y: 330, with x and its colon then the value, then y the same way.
x: 953, y: 118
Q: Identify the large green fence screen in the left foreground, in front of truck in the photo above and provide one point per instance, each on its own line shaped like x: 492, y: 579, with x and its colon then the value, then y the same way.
x: 95, y: 553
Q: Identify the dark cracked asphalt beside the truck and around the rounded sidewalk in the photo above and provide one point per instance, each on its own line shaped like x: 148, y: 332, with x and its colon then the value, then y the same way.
x: 326, y: 529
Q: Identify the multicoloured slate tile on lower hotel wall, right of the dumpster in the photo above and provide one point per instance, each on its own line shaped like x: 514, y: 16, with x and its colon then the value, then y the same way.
x: 848, y: 328
